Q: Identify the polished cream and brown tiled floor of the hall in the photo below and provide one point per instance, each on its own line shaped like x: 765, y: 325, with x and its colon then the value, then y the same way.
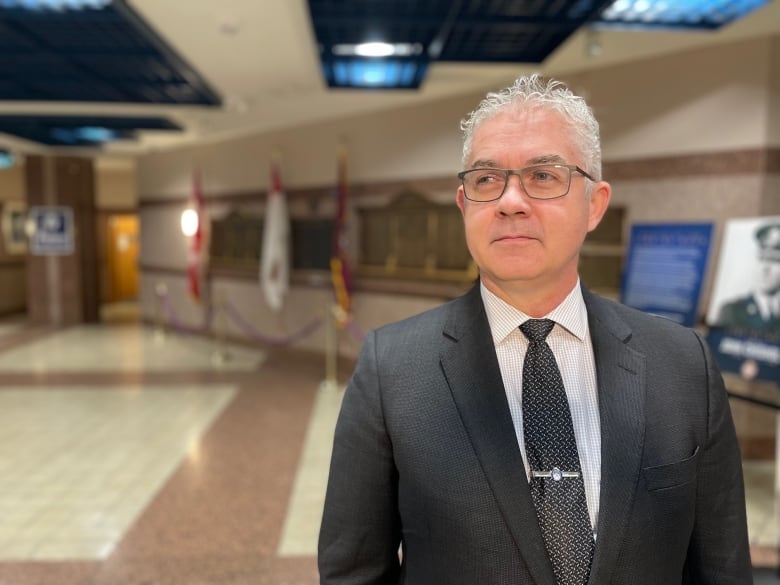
x: 129, y: 457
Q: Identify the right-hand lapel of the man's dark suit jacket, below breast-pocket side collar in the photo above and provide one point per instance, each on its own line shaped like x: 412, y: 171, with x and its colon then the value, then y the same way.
x: 620, y: 373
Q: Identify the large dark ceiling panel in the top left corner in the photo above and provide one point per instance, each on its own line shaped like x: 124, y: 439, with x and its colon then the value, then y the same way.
x: 92, y: 55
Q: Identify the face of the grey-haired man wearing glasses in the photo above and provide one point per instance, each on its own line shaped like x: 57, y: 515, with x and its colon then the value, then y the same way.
x: 518, y: 243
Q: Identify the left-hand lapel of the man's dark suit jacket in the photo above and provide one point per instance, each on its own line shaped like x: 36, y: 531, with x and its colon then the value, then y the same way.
x: 471, y: 368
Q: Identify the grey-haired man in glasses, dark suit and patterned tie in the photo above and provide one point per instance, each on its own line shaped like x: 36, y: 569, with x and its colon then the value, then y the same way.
x: 436, y: 450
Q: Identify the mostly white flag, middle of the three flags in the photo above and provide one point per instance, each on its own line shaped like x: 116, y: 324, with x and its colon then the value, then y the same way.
x: 275, y: 255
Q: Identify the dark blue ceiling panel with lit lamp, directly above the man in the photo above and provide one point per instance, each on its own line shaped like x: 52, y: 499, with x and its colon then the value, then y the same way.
x: 488, y: 31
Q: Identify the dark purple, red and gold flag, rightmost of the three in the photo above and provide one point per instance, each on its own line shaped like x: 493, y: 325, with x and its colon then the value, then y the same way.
x: 339, y: 261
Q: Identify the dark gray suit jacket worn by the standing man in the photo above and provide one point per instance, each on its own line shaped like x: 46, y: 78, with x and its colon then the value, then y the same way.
x: 425, y: 454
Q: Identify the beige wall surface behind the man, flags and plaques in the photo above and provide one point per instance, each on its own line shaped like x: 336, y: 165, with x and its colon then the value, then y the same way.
x: 718, y: 100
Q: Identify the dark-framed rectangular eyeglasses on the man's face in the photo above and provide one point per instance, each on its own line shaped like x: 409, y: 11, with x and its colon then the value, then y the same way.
x: 539, y: 181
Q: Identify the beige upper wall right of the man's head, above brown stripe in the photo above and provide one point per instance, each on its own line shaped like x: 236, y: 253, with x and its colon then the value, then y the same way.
x: 706, y: 100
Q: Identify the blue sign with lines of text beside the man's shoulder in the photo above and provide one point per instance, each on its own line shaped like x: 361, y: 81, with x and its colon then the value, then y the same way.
x: 665, y: 269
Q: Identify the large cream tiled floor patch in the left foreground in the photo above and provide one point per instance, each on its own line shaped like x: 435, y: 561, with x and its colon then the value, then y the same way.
x: 81, y: 464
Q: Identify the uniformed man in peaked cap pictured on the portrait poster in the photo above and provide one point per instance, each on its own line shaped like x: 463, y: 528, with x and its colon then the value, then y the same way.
x: 759, y: 312
